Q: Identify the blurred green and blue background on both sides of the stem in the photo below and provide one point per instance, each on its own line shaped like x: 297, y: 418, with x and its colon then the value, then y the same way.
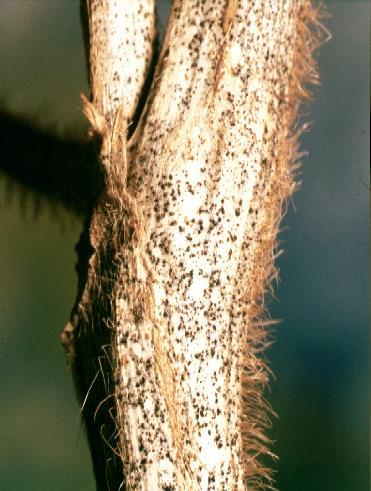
x: 320, y: 354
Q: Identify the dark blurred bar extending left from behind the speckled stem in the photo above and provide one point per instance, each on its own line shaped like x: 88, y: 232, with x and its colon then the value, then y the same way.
x: 59, y: 169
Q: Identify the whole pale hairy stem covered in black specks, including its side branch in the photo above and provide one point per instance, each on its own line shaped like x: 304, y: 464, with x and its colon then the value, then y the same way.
x: 184, y: 236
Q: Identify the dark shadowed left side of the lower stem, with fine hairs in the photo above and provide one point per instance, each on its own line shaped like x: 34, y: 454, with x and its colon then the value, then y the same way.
x: 92, y: 360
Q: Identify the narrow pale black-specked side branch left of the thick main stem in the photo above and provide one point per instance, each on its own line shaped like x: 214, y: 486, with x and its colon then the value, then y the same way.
x: 121, y: 40
